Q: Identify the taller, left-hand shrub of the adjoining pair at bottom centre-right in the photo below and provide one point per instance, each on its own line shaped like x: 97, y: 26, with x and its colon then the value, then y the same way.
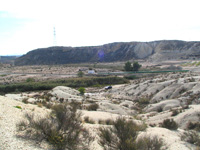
x: 122, y: 136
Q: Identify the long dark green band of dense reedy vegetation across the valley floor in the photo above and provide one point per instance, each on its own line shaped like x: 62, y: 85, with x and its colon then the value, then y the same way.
x: 70, y: 82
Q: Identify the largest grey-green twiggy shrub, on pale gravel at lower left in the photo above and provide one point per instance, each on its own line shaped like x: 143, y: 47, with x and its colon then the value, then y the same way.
x: 62, y: 128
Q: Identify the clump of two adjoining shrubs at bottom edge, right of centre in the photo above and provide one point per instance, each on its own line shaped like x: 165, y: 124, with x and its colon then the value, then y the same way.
x: 123, y: 136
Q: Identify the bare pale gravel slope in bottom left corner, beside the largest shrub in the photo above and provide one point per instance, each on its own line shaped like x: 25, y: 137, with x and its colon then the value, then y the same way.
x: 9, y: 117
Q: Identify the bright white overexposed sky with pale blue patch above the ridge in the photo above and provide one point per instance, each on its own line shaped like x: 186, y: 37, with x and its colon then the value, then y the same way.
x: 29, y: 24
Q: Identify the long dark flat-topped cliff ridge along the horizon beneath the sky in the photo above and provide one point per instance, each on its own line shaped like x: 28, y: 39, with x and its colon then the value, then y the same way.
x: 153, y: 51
